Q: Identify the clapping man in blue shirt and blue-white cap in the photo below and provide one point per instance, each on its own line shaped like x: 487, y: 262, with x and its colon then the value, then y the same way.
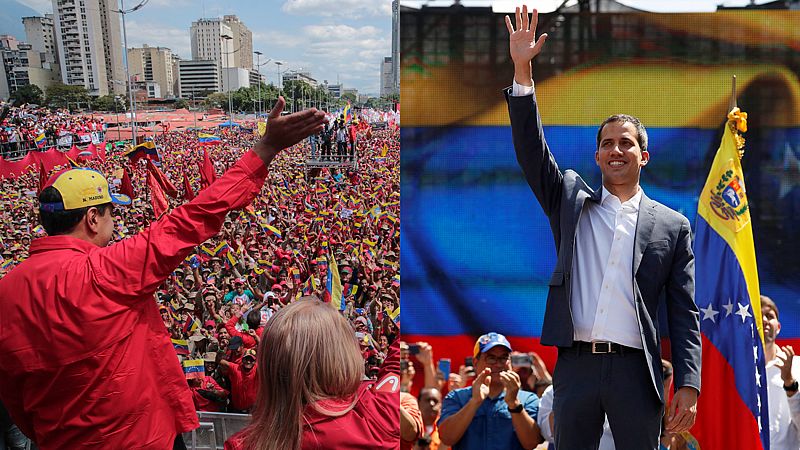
x: 494, y: 413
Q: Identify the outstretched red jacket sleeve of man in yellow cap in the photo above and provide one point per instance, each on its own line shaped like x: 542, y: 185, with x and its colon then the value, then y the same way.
x: 134, y: 267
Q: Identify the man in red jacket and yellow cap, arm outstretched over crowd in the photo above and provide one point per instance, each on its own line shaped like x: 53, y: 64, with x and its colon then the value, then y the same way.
x: 87, y: 361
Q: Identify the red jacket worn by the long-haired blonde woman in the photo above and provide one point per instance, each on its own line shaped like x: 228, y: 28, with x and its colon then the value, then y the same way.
x: 373, y: 423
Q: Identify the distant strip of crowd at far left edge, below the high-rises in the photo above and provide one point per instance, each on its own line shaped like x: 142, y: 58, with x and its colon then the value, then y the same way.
x: 31, y: 127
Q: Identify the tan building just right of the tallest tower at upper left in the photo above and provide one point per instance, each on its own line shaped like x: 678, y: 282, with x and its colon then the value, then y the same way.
x: 155, y: 65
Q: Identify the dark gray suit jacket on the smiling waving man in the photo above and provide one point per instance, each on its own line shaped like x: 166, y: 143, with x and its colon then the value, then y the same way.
x: 662, y: 261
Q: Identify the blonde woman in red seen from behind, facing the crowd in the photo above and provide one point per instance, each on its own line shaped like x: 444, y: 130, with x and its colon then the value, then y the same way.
x: 312, y: 393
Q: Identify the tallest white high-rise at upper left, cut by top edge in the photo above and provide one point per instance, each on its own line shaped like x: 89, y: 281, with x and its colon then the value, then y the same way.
x: 89, y: 45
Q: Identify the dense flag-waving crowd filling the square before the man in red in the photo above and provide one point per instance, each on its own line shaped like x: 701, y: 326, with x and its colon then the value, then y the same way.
x: 308, y: 231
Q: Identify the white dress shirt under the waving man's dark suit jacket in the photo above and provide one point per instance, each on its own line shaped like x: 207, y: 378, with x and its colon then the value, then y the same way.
x: 602, y: 300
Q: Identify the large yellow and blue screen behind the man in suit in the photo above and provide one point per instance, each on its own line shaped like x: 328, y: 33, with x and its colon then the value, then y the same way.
x: 477, y: 251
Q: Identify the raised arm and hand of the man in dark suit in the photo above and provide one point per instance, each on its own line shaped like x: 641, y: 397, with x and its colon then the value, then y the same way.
x: 533, y: 154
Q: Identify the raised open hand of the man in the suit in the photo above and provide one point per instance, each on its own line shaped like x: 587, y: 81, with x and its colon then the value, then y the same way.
x: 523, y: 44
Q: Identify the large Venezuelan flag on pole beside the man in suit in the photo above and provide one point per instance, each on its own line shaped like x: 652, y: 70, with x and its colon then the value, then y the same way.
x: 727, y: 292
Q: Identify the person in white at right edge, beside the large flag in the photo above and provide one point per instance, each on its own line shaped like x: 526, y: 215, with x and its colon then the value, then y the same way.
x: 783, y: 371
